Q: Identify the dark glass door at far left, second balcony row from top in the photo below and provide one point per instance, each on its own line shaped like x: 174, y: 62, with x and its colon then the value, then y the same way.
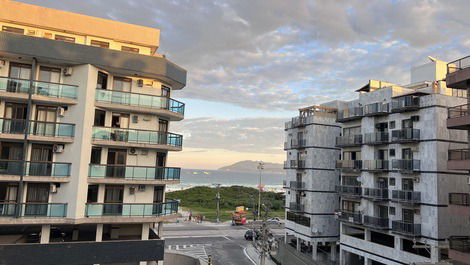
x: 15, y: 118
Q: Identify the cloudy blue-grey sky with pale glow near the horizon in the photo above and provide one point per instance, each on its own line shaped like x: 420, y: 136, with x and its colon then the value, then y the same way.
x: 253, y: 63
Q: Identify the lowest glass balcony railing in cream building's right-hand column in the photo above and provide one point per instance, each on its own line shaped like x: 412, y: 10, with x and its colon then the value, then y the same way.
x: 131, y: 209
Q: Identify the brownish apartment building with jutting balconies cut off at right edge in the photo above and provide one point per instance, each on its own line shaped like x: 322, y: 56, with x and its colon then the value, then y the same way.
x: 458, y: 77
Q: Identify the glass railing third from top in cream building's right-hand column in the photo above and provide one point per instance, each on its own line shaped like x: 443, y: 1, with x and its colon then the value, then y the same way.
x: 134, y: 172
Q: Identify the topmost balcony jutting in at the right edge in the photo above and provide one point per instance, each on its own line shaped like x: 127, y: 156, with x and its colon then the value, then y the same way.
x: 458, y: 73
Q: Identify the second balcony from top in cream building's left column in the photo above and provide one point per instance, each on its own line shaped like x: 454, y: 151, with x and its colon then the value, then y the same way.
x: 38, y: 130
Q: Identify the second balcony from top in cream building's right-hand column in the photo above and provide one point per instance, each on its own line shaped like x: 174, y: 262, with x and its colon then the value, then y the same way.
x: 137, y: 138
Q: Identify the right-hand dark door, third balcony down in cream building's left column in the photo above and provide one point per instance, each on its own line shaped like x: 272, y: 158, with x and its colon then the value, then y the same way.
x: 41, y: 158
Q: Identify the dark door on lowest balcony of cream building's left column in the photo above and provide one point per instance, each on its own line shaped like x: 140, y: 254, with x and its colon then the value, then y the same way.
x: 37, y: 199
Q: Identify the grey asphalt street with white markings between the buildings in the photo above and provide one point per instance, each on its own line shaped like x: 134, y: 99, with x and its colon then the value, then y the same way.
x: 225, y: 243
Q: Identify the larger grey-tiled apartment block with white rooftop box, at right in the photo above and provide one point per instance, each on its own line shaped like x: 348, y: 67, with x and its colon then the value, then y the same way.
x: 394, y: 177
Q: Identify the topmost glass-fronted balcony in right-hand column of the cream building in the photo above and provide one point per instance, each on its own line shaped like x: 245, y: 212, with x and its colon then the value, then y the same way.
x: 125, y: 101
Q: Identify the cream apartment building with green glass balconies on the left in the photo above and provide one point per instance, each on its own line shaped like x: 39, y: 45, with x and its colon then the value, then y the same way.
x: 86, y: 108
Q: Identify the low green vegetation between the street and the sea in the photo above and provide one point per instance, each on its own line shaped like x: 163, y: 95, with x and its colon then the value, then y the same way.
x: 201, y: 201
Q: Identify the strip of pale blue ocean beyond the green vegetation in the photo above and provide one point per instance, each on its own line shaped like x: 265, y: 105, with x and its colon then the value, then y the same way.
x: 199, y: 177
